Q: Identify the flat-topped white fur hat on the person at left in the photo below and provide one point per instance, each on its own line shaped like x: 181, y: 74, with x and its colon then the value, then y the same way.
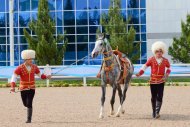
x: 28, y: 54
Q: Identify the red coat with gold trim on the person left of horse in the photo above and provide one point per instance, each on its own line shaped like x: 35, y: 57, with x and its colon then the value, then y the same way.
x: 27, y: 78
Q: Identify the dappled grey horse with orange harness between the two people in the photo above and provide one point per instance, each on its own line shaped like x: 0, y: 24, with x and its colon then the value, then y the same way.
x: 111, y: 73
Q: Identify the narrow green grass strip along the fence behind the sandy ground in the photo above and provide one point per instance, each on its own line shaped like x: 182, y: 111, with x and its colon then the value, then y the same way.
x: 90, y: 82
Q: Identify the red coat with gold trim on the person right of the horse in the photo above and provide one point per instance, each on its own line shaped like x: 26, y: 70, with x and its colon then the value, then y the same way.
x: 157, y: 70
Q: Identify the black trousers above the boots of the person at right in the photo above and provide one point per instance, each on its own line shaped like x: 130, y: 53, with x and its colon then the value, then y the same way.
x: 157, y: 91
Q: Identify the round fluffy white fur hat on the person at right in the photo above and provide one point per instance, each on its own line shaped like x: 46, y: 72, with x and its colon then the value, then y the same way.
x: 157, y: 46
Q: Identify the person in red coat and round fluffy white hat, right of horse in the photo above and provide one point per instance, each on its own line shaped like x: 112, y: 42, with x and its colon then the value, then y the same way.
x: 158, y: 75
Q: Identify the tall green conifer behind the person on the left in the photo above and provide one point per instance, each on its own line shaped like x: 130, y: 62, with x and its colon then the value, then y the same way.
x: 45, y: 43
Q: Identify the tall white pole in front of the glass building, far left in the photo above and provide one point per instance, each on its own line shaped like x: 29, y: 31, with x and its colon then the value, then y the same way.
x: 11, y: 11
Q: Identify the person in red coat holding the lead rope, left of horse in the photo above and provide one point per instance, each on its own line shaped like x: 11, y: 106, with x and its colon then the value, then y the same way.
x: 27, y: 72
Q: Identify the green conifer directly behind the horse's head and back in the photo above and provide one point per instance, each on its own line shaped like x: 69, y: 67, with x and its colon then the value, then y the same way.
x: 115, y: 26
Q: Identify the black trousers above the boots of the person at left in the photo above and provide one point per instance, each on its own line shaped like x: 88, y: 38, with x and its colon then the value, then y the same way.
x: 27, y: 97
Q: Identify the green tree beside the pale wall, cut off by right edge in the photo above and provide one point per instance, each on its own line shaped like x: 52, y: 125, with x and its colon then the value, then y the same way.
x: 180, y: 48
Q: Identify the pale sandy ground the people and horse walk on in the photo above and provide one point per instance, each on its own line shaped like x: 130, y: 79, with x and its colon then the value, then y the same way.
x: 79, y: 107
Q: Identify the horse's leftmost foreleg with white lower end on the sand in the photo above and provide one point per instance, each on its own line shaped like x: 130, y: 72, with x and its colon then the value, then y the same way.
x: 102, y: 101
